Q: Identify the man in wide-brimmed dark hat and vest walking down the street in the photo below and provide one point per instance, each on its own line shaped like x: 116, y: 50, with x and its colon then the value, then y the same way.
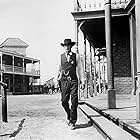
x: 70, y: 68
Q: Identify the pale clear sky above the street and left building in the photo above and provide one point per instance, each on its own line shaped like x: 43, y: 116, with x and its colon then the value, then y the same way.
x: 43, y: 25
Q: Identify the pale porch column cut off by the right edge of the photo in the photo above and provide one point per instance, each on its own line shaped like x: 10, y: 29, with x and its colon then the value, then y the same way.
x: 137, y: 11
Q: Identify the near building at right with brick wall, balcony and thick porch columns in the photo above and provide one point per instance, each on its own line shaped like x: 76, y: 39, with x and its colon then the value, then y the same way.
x: 114, y: 24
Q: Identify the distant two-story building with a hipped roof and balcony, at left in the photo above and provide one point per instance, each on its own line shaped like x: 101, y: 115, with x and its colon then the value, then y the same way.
x: 18, y: 71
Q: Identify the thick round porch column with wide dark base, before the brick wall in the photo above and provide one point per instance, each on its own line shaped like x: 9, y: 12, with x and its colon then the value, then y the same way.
x: 109, y: 47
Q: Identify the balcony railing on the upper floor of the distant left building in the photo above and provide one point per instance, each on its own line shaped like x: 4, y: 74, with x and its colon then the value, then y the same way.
x: 16, y: 69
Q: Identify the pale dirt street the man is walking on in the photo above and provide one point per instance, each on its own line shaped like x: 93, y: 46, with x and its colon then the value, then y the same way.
x: 41, y: 117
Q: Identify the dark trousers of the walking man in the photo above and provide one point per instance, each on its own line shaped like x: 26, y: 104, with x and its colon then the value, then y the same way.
x: 69, y: 90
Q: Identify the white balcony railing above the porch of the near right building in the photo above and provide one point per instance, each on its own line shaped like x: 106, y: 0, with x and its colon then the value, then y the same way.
x: 94, y: 5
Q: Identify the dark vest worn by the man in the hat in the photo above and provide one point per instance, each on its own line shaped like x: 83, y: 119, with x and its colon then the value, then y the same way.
x: 69, y: 67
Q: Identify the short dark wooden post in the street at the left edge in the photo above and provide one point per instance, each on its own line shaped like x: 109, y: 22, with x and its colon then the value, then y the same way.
x: 4, y: 101
